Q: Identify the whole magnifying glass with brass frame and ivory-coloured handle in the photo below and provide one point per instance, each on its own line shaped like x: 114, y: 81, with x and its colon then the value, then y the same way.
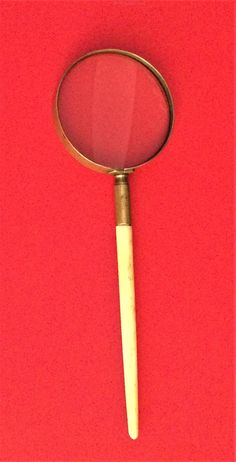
x: 114, y: 113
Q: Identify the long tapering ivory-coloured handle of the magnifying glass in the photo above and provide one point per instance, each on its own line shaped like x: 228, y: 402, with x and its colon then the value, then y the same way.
x: 128, y: 324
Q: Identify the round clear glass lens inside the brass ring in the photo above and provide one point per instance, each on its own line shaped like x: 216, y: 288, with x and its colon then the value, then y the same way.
x: 113, y: 110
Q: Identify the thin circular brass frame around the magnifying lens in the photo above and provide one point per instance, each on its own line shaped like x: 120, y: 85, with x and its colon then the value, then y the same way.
x: 79, y: 155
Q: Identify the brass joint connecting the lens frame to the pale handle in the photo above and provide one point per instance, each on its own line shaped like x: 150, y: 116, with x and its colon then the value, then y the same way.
x: 122, y: 199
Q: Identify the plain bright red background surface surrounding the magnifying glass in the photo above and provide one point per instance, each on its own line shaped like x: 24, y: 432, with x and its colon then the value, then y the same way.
x: 62, y: 384
